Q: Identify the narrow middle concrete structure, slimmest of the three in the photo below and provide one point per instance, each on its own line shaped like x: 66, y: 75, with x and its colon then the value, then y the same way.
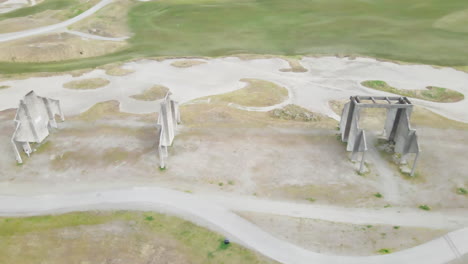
x: 169, y: 117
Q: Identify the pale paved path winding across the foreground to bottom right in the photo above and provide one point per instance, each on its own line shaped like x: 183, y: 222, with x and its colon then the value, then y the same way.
x: 216, y: 217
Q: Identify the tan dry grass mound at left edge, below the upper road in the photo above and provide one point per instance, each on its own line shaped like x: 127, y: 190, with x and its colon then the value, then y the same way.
x: 55, y: 47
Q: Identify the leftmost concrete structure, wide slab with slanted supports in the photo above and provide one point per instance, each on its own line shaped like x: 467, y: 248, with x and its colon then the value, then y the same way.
x: 34, y: 119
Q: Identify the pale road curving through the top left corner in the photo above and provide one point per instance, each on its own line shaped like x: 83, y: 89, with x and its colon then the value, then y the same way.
x: 54, y: 27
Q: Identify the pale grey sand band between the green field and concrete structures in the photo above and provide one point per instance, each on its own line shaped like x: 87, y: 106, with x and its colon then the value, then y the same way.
x: 328, y: 78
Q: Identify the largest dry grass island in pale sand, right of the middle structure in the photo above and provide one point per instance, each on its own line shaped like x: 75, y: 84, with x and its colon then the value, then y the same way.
x: 257, y: 93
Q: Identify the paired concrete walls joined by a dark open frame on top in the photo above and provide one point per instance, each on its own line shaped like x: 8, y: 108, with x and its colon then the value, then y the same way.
x: 397, y: 126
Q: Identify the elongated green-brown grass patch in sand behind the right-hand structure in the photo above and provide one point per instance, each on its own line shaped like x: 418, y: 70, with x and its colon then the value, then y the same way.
x: 432, y: 93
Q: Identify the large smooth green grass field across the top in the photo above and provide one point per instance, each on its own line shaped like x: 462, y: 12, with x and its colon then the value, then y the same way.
x: 388, y: 29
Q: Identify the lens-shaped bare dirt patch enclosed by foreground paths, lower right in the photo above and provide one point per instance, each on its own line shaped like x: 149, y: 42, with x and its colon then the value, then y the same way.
x: 341, y: 238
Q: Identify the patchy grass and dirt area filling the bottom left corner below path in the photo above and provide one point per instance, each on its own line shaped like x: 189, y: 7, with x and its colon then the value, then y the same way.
x: 123, y: 236
